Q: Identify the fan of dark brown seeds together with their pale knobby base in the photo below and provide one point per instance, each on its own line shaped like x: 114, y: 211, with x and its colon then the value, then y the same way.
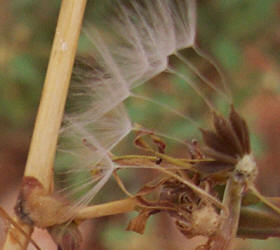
x: 229, y: 148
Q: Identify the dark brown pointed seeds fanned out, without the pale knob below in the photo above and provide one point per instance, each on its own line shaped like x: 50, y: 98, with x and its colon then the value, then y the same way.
x: 226, y: 144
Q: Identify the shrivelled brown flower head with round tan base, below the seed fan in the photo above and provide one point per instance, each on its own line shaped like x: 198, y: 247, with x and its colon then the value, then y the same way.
x: 194, y: 212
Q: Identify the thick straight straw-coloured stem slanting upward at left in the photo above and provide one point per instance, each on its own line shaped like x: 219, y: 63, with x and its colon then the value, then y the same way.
x: 43, y: 145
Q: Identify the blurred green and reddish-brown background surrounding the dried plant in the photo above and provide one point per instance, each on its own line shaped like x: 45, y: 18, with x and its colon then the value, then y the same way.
x: 244, y: 37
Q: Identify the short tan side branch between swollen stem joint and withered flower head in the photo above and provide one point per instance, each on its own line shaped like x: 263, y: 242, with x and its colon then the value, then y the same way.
x: 110, y: 208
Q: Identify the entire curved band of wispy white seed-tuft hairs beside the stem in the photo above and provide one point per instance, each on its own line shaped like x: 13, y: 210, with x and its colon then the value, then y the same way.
x: 135, y: 46
